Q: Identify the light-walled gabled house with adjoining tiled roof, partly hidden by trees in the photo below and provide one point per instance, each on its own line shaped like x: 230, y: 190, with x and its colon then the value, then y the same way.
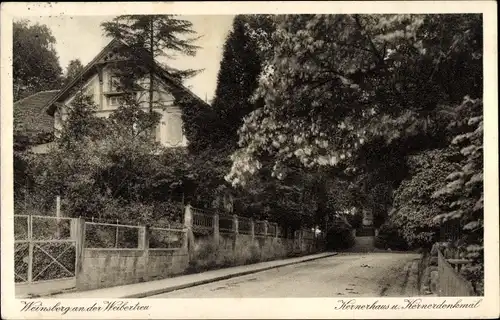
x: 44, y: 112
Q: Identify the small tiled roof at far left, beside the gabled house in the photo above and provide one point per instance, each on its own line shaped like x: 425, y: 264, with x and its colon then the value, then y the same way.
x: 30, y: 113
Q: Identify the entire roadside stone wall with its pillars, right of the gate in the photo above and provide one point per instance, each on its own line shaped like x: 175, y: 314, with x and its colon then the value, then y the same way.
x: 198, y: 251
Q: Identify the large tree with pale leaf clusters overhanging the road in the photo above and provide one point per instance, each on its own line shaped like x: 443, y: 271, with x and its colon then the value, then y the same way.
x: 333, y: 83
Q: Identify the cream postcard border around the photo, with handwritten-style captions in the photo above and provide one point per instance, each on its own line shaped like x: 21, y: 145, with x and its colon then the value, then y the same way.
x: 258, y: 308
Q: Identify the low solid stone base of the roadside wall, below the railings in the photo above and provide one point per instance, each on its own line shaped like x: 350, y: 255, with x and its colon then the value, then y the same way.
x: 102, y: 268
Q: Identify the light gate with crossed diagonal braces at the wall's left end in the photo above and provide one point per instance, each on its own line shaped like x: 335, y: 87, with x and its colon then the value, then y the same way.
x: 44, y: 255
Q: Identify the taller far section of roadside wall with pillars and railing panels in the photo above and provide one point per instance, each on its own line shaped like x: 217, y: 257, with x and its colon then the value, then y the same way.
x: 246, y: 241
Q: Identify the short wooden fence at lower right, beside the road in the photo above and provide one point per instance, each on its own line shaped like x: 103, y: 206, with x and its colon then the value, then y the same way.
x: 451, y: 282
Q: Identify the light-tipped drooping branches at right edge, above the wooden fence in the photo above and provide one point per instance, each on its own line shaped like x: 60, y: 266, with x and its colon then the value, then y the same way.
x: 462, y: 198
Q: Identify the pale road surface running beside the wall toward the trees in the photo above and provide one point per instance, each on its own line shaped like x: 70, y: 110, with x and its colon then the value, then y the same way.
x: 344, y: 275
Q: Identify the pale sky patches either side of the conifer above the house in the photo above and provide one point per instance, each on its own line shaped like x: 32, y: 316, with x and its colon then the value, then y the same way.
x: 81, y: 37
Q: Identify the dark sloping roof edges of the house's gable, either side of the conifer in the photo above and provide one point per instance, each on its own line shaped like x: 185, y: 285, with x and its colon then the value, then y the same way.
x: 50, y: 107
